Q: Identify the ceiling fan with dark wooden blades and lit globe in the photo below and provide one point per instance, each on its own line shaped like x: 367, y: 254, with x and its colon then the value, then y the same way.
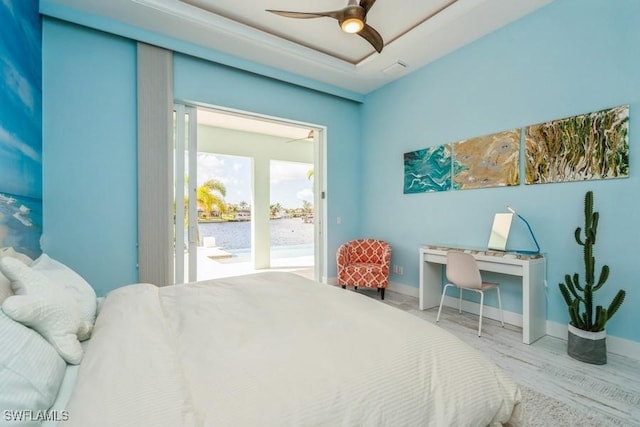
x: 352, y: 19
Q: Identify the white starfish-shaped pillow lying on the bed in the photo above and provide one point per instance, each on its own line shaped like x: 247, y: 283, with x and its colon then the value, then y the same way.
x: 41, y: 305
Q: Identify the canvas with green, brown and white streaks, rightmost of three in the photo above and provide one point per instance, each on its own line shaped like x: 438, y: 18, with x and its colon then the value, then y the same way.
x: 579, y: 148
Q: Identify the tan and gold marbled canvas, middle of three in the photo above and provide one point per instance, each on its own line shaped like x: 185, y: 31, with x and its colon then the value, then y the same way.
x: 487, y: 161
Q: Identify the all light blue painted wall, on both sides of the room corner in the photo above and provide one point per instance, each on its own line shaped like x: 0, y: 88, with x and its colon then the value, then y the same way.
x: 571, y: 57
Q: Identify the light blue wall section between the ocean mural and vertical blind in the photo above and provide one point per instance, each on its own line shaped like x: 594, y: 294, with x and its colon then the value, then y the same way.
x: 90, y: 153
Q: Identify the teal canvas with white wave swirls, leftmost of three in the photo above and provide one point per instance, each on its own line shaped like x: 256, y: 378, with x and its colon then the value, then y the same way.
x: 428, y: 170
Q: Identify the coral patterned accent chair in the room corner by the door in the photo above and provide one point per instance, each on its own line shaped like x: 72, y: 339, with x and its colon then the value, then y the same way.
x: 364, y: 262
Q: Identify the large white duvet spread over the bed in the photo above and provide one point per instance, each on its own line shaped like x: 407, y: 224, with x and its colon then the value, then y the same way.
x: 274, y: 349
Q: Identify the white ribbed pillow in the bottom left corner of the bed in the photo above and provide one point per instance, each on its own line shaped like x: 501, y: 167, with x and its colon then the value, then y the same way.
x: 31, y: 371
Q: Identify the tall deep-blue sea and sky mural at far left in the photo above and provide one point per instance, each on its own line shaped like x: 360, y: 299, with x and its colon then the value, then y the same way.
x: 21, y: 126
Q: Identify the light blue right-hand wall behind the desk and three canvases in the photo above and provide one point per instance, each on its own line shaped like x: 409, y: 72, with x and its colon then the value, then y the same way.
x: 571, y: 57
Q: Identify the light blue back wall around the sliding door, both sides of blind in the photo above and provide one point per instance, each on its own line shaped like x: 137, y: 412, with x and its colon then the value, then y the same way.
x: 90, y: 134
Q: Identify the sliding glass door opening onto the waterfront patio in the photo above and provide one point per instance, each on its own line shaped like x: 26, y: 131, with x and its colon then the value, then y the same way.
x: 225, y: 169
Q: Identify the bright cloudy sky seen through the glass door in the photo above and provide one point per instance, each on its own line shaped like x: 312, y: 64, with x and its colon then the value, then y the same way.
x: 289, y: 183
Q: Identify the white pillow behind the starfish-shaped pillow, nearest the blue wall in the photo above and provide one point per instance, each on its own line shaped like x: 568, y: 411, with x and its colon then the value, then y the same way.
x: 63, y: 276
